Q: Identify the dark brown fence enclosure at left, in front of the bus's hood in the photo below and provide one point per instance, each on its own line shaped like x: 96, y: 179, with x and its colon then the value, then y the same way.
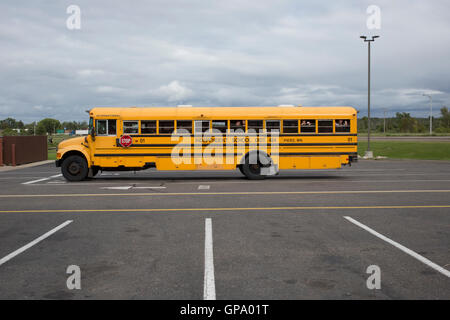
x: 16, y: 150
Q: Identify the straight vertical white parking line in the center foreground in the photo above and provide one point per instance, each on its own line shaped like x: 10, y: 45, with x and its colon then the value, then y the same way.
x: 209, y: 287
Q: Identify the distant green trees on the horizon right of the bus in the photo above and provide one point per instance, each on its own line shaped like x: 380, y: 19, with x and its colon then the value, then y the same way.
x: 404, y: 123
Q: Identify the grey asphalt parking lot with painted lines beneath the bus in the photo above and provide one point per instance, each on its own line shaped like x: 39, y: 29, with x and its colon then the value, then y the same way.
x: 299, y: 235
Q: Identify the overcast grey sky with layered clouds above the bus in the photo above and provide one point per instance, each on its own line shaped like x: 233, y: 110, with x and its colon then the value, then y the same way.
x: 220, y: 53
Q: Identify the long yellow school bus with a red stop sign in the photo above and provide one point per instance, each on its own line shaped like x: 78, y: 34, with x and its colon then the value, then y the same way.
x: 259, y: 141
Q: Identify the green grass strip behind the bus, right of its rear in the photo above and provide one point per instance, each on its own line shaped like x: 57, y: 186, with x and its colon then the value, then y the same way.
x: 407, y: 149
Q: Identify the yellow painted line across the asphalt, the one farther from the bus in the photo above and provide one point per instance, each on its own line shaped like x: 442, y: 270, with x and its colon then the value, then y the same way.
x: 222, y: 209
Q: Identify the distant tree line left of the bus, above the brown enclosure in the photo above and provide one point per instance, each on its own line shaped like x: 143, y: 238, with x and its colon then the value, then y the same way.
x: 47, y: 126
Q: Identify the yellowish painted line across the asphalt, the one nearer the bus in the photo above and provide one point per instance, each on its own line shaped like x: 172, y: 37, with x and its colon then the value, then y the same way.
x: 212, y: 193
